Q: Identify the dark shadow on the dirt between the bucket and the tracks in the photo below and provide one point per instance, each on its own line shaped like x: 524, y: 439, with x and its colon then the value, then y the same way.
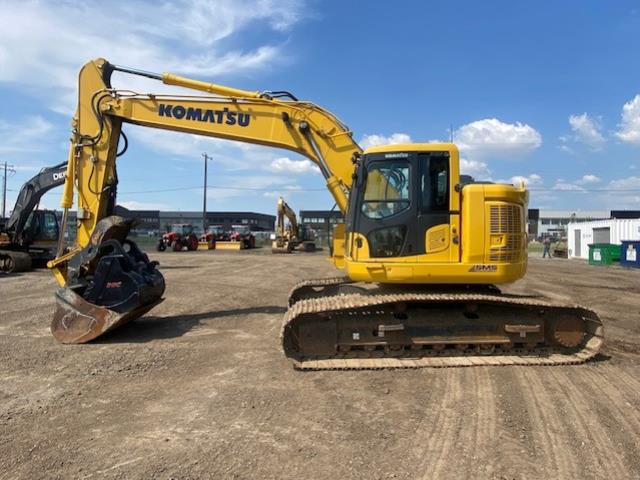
x: 152, y: 327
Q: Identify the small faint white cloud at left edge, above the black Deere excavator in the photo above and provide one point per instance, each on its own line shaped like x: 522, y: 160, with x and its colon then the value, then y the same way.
x: 24, y: 136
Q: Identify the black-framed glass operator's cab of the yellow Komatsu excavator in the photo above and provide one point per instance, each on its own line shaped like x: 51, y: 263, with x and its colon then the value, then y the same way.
x: 399, y: 199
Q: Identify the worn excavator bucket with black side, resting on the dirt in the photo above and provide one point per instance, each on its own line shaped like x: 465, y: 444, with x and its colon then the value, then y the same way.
x: 111, y: 282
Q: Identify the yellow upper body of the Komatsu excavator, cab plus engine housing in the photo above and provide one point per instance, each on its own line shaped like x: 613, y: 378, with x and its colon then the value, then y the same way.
x: 411, y: 220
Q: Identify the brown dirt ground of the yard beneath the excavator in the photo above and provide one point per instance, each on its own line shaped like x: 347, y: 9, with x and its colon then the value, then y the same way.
x: 200, y: 389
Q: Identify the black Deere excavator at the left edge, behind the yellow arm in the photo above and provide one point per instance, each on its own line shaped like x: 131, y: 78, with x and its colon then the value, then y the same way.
x: 30, y: 235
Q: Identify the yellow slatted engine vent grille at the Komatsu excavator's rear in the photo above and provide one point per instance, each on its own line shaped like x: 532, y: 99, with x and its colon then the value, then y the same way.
x: 506, y: 220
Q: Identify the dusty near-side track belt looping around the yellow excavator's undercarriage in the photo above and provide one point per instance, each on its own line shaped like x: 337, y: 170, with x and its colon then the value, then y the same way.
x: 592, y: 344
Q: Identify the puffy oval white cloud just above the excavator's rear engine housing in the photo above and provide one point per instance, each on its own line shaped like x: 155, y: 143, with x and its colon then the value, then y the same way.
x: 491, y: 137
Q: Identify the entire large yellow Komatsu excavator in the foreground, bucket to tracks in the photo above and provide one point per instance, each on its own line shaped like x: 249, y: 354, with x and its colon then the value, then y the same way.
x: 421, y: 250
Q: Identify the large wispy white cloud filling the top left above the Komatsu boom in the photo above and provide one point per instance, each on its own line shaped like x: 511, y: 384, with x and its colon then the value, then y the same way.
x: 43, y: 44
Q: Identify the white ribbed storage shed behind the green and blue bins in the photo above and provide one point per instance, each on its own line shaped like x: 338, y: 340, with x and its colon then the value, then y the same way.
x: 581, y: 234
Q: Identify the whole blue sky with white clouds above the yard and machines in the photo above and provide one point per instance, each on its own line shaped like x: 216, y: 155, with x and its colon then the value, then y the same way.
x: 547, y: 92
